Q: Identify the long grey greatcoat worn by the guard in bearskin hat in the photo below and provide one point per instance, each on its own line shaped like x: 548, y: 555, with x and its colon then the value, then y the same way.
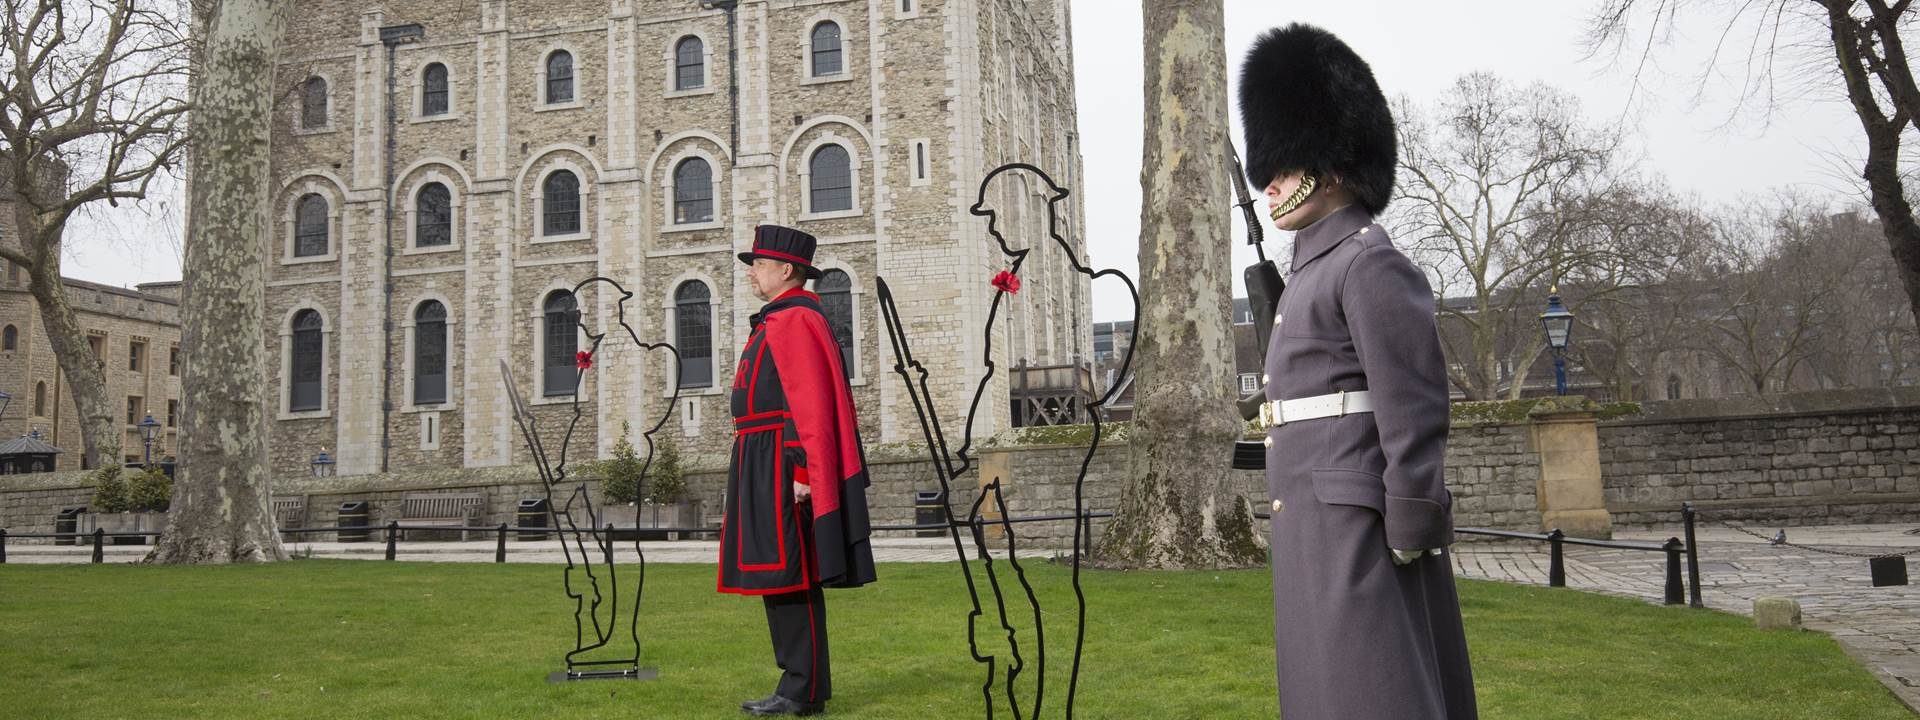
x: 1356, y: 636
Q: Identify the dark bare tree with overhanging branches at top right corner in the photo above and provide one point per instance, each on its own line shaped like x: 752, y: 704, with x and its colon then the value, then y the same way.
x: 1865, y: 53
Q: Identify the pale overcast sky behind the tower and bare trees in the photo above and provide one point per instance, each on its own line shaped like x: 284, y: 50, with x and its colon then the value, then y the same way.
x: 1683, y: 122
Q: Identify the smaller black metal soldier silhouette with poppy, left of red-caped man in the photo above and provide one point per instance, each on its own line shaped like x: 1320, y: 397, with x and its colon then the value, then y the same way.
x: 596, y: 606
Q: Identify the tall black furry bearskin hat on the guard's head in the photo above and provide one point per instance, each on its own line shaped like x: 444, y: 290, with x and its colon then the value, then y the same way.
x: 1310, y: 105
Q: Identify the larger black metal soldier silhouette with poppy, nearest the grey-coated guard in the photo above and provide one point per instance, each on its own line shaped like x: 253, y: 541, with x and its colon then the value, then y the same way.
x: 955, y: 464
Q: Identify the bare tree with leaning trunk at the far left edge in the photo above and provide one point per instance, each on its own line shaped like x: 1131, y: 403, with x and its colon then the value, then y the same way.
x: 91, y: 110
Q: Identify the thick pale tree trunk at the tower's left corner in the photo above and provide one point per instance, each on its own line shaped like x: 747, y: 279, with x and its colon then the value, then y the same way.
x: 222, y: 492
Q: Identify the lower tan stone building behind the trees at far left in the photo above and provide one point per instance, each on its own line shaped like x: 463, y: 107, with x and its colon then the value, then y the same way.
x: 137, y: 339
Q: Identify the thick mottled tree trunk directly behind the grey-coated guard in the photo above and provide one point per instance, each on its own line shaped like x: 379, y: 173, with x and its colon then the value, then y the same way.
x: 1182, y: 508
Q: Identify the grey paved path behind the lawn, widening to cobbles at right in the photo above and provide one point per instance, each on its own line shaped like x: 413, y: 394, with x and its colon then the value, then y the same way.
x: 1879, y: 627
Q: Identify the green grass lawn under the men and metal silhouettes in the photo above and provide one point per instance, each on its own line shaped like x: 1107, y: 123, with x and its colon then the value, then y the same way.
x: 416, y: 640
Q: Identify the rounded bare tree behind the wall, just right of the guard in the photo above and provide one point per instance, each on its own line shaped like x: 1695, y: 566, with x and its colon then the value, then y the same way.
x: 1489, y: 203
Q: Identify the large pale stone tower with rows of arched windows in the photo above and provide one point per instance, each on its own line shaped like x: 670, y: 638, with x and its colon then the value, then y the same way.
x: 535, y: 145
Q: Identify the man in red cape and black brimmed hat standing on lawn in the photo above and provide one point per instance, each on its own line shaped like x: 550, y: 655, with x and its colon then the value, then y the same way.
x: 796, y: 506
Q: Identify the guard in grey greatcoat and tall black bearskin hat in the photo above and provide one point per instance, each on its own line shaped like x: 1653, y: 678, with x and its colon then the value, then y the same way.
x: 1366, y: 623
